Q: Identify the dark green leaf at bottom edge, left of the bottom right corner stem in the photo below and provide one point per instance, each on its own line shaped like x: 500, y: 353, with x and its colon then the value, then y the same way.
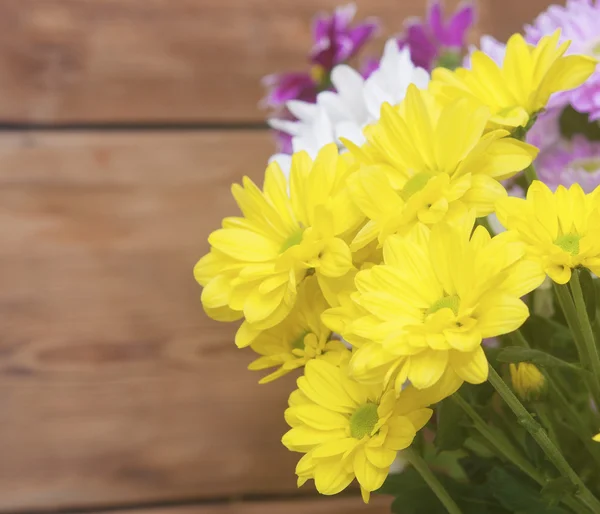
x: 518, y: 495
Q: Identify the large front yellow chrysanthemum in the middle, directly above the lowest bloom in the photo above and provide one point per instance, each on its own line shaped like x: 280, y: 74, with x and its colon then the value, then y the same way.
x: 428, y: 307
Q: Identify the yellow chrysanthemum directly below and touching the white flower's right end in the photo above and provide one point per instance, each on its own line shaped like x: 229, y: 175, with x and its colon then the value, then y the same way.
x: 424, y: 163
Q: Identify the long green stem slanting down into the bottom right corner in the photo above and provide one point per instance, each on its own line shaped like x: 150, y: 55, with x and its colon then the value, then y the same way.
x: 541, y: 437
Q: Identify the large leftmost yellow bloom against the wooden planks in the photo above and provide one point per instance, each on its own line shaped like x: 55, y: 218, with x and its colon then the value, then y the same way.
x: 257, y: 261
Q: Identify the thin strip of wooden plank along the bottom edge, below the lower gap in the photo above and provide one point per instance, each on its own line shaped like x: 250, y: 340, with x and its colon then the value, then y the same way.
x: 335, y: 505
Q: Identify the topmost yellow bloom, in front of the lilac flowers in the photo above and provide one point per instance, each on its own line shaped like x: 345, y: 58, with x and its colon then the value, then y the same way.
x: 522, y: 86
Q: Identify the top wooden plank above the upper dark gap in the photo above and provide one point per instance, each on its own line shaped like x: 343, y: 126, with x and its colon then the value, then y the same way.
x: 156, y: 60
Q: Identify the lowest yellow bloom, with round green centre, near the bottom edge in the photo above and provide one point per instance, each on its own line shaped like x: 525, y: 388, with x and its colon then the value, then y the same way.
x: 348, y: 430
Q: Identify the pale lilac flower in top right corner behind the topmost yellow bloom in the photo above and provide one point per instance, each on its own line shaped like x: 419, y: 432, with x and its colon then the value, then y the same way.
x: 579, y: 22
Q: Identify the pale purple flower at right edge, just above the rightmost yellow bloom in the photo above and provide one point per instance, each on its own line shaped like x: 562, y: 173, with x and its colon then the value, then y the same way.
x: 570, y: 162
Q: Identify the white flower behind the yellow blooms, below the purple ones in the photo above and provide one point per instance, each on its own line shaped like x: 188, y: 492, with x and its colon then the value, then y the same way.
x: 355, y: 103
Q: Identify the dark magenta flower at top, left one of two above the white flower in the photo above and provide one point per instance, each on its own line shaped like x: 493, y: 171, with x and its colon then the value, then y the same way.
x: 336, y: 41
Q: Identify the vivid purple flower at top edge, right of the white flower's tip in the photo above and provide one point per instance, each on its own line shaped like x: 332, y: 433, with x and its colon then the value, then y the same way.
x: 436, y: 42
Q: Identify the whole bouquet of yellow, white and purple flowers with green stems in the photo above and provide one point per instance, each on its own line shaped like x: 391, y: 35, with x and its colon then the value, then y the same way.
x: 423, y: 254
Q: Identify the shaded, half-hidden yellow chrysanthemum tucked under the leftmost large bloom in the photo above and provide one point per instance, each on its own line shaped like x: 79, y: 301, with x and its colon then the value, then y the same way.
x: 300, y: 337
